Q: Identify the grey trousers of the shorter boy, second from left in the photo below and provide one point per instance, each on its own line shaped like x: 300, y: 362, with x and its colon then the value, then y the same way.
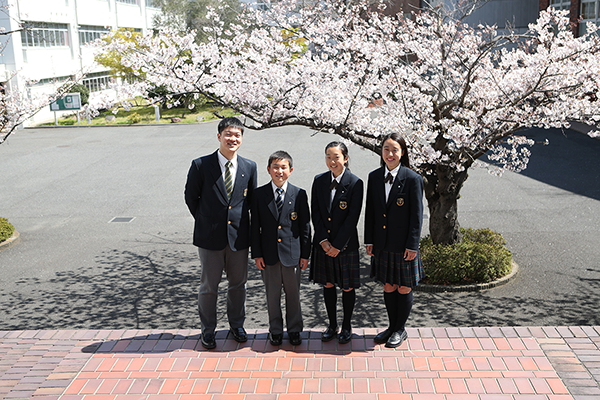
x: 275, y: 277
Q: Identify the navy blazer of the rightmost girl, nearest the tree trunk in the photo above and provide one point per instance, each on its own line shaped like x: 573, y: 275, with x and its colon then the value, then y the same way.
x: 394, y: 225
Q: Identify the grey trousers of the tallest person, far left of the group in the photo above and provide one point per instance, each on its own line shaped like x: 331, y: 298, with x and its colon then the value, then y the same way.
x: 235, y: 265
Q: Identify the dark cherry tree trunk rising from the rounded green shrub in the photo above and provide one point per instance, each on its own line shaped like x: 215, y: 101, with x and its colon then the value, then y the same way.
x: 442, y: 188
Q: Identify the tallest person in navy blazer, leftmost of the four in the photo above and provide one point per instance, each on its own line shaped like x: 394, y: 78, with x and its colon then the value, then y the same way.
x: 218, y: 194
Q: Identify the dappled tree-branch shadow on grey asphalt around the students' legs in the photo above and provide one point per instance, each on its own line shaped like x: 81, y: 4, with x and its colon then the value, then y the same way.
x: 135, y: 289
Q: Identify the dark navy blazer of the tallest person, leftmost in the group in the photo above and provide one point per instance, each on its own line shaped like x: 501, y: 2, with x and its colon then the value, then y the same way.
x: 218, y: 221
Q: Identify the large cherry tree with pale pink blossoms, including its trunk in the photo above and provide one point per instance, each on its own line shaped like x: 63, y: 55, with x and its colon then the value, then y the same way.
x: 457, y: 92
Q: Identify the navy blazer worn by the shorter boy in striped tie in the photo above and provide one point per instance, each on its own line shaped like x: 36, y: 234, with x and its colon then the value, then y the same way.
x: 284, y: 237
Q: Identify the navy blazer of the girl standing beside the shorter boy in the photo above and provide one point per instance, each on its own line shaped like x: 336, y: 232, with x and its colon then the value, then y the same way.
x: 338, y: 224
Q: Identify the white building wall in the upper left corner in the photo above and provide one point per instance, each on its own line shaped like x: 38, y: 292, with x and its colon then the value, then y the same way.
x: 47, y: 63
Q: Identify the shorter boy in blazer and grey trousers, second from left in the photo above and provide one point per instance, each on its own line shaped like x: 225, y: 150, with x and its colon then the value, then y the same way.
x: 281, y: 245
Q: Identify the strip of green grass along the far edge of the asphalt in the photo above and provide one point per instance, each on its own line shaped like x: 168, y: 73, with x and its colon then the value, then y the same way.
x: 143, y: 113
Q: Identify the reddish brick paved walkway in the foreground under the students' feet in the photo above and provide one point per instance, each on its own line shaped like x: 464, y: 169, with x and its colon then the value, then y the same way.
x: 554, y: 363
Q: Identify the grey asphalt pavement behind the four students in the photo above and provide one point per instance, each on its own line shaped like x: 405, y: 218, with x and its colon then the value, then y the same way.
x: 75, y: 268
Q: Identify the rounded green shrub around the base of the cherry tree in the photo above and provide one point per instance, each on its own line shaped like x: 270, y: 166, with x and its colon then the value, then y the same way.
x: 481, y: 257
